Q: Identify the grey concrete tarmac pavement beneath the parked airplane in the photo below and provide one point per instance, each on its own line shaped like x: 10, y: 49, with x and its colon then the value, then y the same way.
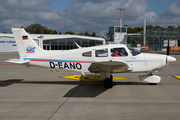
x: 40, y: 94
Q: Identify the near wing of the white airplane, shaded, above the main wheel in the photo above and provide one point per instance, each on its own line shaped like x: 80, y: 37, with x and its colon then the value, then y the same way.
x: 109, y: 66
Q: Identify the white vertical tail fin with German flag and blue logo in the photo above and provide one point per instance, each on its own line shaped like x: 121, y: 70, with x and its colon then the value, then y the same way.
x: 25, y: 44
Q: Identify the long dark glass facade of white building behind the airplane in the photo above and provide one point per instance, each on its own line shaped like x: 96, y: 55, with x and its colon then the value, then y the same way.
x: 68, y: 43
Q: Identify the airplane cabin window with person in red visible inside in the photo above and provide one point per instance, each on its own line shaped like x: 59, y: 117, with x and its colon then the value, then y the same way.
x: 118, y: 52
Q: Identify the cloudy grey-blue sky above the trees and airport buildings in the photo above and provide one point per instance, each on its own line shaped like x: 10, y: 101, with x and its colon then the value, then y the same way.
x: 87, y: 15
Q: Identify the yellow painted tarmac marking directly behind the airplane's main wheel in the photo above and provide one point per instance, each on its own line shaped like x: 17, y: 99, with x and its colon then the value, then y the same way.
x: 89, y: 77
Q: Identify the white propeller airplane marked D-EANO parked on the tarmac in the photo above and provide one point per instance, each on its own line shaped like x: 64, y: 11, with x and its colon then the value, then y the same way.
x: 104, y: 60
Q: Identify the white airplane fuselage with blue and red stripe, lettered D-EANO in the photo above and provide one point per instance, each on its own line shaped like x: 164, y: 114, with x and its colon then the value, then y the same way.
x: 80, y: 59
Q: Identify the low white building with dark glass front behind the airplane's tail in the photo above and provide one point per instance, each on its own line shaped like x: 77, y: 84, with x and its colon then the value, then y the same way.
x: 51, y: 41
